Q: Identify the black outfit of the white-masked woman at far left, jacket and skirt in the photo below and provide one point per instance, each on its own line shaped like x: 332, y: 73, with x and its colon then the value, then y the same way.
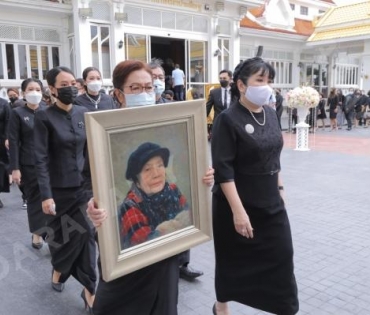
x: 21, y: 150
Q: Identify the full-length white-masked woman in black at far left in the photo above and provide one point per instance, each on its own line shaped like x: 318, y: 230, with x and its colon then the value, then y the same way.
x: 22, y: 160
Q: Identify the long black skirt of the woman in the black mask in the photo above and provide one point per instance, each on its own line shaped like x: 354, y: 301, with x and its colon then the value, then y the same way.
x: 71, y: 238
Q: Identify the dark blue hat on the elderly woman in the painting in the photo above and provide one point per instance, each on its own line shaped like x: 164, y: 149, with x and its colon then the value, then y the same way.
x: 143, y: 154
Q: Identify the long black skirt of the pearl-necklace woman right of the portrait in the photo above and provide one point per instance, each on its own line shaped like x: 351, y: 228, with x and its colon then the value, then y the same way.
x: 257, y: 272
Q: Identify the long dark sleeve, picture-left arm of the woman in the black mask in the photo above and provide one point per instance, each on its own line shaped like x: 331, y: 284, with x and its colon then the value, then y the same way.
x: 41, y: 140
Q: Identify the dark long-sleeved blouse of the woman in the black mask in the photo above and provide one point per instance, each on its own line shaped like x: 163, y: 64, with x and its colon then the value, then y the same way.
x: 60, y: 144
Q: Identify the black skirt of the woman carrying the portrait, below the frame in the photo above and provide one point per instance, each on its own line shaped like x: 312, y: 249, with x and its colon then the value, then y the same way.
x: 152, y: 290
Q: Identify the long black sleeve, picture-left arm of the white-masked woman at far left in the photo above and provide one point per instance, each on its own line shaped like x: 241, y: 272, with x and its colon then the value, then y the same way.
x: 14, y: 140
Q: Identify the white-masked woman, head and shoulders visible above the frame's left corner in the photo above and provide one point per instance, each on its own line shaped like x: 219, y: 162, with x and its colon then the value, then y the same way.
x: 93, y: 99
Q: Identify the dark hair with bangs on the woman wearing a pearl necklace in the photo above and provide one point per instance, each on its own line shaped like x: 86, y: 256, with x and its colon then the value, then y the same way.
x: 246, y: 69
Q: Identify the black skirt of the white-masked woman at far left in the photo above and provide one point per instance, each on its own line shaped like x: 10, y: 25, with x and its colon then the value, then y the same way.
x: 36, y: 217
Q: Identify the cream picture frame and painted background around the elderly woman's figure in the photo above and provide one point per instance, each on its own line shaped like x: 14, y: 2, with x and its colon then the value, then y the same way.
x: 112, y: 136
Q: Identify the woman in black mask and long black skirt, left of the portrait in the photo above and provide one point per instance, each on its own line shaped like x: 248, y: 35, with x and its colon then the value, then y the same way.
x: 60, y: 141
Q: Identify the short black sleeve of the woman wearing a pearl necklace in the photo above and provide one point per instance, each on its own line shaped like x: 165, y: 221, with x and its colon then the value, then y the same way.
x: 223, y: 148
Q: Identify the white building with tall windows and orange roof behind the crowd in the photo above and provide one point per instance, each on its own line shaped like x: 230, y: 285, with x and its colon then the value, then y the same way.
x: 202, y: 36
